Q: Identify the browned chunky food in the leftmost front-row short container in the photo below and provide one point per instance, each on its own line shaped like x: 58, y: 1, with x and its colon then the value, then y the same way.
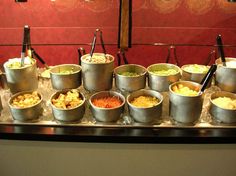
x: 26, y: 100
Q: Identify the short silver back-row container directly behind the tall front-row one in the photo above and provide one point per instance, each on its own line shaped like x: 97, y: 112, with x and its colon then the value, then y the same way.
x: 189, y: 76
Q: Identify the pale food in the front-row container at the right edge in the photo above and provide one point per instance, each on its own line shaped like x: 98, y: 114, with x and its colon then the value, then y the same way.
x: 225, y: 102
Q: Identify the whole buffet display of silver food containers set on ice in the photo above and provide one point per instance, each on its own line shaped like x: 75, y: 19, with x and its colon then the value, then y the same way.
x: 95, y: 94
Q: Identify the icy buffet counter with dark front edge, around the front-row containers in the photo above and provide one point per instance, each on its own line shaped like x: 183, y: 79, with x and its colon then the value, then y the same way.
x: 125, y: 130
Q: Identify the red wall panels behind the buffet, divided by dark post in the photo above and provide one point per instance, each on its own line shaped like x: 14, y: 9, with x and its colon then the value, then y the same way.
x: 59, y: 27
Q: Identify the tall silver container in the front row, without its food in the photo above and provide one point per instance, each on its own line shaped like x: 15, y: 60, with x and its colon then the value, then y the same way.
x: 185, y: 109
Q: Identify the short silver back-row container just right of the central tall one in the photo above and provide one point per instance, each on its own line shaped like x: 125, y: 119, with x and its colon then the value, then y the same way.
x: 130, y: 83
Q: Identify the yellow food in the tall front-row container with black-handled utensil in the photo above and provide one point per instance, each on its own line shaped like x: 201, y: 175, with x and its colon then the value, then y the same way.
x: 184, y: 90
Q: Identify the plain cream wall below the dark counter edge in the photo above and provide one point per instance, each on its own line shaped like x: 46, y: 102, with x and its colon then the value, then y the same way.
x: 27, y: 158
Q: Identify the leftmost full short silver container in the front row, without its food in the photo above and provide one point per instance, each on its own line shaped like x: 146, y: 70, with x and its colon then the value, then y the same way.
x: 31, y: 113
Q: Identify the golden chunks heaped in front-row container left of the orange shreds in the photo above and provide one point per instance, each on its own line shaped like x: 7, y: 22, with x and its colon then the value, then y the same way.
x: 68, y: 100
